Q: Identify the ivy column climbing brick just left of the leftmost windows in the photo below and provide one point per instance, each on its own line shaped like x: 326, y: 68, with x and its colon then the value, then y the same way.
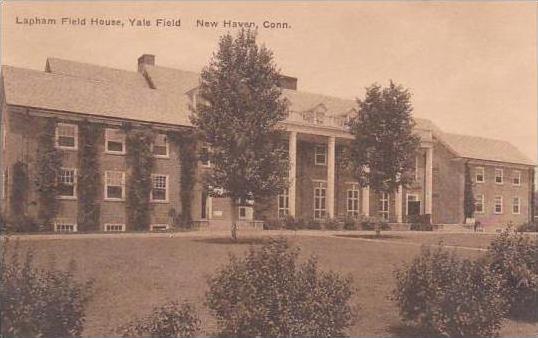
x: 49, y: 162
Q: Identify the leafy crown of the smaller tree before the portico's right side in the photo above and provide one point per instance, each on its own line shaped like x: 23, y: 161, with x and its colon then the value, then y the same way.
x: 382, y: 153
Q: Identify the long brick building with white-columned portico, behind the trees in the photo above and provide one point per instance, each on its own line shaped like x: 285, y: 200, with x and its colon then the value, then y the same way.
x: 70, y: 92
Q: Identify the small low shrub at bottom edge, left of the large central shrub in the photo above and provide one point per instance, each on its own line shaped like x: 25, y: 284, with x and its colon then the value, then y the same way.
x: 169, y: 320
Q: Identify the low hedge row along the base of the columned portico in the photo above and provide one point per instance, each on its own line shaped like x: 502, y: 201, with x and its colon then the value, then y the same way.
x: 348, y: 223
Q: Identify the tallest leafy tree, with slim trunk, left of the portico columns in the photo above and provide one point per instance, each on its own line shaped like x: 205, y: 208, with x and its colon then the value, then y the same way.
x: 237, y: 113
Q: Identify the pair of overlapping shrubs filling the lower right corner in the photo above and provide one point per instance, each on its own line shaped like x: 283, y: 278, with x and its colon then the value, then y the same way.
x: 443, y: 294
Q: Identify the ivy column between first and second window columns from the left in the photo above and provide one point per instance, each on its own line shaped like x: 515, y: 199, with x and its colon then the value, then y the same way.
x: 89, y: 177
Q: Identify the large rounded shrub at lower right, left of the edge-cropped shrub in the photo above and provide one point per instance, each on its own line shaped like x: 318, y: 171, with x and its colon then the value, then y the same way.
x: 445, y: 295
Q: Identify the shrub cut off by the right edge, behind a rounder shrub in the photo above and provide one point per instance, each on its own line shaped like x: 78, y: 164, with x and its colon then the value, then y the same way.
x: 514, y: 257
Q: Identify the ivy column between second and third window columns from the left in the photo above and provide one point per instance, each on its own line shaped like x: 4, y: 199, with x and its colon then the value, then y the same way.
x: 140, y: 162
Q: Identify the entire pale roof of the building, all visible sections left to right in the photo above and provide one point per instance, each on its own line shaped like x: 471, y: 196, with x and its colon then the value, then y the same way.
x: 160, y: 96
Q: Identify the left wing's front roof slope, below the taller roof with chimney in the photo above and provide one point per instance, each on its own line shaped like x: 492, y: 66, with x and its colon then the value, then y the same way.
x: 31, y: 88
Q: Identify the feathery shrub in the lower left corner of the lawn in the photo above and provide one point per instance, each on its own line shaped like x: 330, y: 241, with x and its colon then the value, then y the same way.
x: 35, y: 302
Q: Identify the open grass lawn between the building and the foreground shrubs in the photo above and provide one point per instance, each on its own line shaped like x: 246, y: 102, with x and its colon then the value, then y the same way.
x: 135, y: 274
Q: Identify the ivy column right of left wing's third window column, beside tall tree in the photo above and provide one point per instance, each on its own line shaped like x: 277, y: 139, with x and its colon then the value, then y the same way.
x: 186, y: 143
